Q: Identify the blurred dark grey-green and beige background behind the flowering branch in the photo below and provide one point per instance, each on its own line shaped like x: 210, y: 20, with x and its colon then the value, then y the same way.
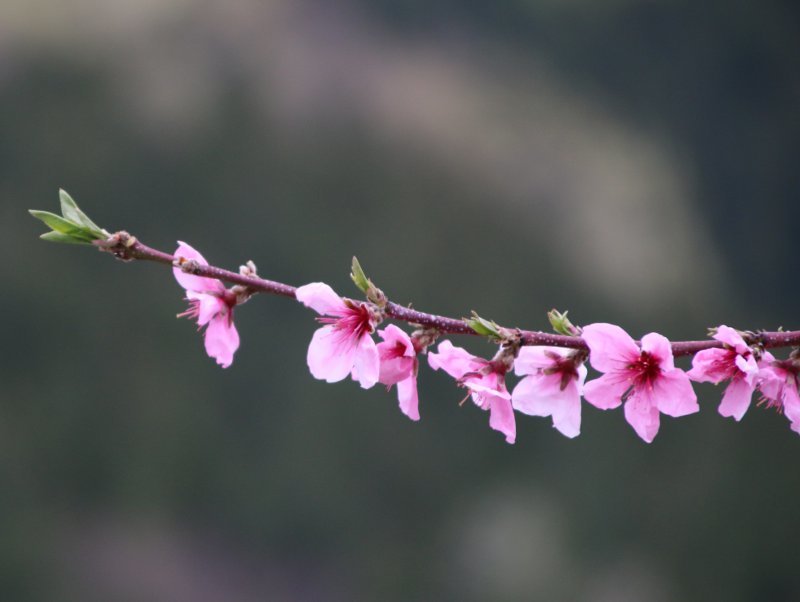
x: 631, y: 161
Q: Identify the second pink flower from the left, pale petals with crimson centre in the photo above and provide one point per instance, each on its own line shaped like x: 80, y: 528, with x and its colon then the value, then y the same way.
x: 344, y: 345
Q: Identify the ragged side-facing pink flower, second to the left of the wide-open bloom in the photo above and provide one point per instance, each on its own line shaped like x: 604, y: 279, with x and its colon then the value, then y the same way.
x: 485, y: 381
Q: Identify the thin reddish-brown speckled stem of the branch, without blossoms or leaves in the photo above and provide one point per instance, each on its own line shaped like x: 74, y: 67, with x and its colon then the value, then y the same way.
x: 126, y: 247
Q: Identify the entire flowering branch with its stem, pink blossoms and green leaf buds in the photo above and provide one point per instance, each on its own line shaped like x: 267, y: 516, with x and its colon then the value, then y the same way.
x: 639, y: 375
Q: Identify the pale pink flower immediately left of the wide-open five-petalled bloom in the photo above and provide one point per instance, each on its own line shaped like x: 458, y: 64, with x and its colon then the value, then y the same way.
x: 552, y: 386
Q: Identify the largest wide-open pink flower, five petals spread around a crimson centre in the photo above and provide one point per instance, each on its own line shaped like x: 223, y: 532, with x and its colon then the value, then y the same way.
x: 646, y: 379
